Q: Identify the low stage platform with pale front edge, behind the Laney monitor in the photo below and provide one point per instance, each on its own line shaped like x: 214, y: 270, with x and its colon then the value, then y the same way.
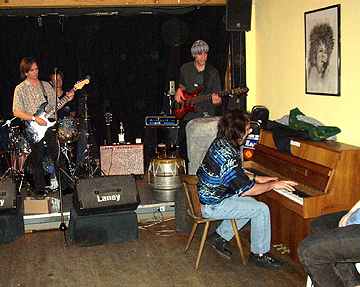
x: 146, y: 209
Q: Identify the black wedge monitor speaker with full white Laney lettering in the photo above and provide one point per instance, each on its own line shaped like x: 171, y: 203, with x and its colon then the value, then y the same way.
x: 106, y: 194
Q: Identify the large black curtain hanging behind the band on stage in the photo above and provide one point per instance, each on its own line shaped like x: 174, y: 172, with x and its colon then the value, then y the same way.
x: 131, y: 59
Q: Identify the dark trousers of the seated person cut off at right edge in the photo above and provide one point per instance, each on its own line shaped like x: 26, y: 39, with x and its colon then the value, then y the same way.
x: 330, y: 253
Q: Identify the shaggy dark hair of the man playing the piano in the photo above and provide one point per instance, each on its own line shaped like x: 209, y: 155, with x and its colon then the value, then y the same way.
x: 232, y: 126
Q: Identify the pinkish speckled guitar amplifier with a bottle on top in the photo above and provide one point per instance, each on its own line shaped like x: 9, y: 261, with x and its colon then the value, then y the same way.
x: 122, y: 159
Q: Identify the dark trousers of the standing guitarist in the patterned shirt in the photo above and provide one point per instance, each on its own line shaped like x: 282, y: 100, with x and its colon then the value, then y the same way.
x: 37, y: 157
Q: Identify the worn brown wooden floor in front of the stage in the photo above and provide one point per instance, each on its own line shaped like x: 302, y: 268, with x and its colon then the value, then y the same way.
x: 156, y: 258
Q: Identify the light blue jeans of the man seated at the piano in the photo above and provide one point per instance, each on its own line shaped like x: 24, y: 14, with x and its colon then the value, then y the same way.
x: 243, y: 209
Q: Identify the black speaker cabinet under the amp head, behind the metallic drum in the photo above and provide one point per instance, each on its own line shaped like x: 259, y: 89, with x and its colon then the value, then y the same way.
x: 155, y: 135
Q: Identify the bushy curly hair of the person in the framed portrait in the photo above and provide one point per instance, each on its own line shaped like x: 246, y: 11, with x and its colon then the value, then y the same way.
x: 320, y: 33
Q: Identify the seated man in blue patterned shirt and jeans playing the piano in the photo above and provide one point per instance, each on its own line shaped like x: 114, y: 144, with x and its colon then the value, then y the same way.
x: 226, y: 190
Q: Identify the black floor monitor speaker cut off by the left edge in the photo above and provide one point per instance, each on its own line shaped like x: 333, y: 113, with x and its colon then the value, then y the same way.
x: 9, y: 202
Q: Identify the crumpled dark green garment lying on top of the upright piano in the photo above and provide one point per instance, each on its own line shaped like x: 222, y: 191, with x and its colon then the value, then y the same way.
x: 317, y: 133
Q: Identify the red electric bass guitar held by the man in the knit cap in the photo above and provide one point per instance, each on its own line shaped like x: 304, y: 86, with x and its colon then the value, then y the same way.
x: 187, y: 105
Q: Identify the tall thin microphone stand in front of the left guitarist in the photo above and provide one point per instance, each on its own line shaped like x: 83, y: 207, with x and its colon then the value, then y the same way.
x: 62, y: 226
